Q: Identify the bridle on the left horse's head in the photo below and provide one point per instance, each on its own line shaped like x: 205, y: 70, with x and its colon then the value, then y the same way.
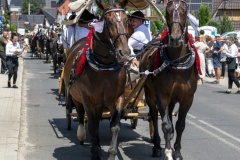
x: 120, y: 29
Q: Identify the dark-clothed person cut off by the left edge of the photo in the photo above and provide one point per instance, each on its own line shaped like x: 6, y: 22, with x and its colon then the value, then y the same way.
x: 3, y: 43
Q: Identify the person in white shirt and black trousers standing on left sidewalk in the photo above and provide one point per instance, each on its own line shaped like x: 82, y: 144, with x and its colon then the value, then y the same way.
x: 13, y: 51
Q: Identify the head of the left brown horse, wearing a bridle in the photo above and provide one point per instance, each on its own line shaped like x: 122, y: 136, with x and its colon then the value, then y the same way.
x: 116, y: 31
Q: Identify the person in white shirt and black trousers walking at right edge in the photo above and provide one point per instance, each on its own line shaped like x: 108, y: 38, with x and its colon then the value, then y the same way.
x: 232, y: 65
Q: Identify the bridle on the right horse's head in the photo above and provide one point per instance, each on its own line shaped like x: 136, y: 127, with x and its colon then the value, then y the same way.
x: 177, y: 19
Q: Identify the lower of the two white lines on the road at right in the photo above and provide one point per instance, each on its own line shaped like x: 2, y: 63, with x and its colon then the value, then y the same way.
x: 213, y: 135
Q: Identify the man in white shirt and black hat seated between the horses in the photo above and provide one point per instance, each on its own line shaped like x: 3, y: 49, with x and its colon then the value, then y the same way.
x: 140, y: 37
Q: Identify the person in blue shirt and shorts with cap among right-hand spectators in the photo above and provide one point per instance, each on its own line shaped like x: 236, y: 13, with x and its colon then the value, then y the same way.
x: 216, y: 58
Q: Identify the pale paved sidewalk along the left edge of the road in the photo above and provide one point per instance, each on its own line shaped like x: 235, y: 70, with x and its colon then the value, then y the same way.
x: 10, y: 109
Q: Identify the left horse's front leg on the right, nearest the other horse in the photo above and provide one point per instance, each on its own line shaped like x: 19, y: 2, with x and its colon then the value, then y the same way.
x: 115, y: 127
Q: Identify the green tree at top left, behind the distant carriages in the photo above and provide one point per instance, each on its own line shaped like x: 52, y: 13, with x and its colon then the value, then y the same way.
x: 35, y: 6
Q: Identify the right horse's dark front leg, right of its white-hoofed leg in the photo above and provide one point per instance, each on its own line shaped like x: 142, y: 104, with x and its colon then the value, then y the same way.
x: 180, y: 126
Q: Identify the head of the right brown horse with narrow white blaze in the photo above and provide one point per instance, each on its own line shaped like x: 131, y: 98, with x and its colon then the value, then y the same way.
x: 176, y: 15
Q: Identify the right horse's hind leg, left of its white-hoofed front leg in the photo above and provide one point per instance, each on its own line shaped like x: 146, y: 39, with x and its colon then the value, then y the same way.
x: 150, y: 100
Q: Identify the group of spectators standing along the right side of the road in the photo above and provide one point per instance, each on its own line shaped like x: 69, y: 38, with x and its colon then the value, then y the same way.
x: 217, y: 54
